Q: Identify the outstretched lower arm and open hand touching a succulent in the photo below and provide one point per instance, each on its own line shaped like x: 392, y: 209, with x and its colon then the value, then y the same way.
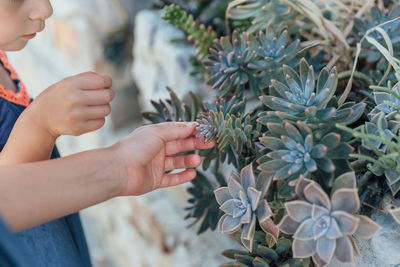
x: 35, y: 193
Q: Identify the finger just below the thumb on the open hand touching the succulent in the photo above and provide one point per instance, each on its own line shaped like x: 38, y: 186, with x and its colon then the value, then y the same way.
x: 188, y: 144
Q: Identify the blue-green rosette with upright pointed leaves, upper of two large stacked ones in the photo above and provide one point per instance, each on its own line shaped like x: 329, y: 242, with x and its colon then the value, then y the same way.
x: 304, y: 99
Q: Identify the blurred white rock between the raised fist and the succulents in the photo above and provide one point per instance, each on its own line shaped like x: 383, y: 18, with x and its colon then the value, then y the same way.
x: 159, y: 62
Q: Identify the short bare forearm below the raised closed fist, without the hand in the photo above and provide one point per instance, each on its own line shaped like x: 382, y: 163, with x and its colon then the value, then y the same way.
x: 28, y: 141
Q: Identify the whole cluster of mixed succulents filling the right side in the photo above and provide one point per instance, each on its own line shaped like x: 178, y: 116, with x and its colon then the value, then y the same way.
x: 317, y: 147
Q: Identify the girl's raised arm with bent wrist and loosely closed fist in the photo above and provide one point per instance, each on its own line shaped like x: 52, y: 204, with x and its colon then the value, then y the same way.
x: 74, y: 106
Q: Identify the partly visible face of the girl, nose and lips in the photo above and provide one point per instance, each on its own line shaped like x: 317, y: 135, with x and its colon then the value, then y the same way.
x: 20, y: 20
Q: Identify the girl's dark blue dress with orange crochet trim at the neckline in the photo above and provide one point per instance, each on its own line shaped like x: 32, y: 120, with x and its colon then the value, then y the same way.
x: 60, y: 243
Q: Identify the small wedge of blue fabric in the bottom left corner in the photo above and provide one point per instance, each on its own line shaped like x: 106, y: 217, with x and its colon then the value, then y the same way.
x: 12, y: 252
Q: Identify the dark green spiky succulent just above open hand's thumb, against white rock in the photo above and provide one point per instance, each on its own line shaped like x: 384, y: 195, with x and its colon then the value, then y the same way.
x: 174, y: 110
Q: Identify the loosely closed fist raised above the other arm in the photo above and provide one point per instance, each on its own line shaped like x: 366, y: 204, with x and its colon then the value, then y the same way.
x: 74, y: 106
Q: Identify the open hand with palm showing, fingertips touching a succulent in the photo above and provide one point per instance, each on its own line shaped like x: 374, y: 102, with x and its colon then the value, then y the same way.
x: 151, y: 151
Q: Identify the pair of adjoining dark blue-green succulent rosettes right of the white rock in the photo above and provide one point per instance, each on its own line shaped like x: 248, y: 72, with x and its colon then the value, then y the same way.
x: 249, y: 61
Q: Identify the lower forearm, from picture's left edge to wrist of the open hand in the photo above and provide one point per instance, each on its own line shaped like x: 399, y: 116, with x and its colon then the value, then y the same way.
x: 35, y: 193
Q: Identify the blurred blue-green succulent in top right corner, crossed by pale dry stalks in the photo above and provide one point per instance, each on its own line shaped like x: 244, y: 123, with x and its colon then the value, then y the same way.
x: 377, y: 17
